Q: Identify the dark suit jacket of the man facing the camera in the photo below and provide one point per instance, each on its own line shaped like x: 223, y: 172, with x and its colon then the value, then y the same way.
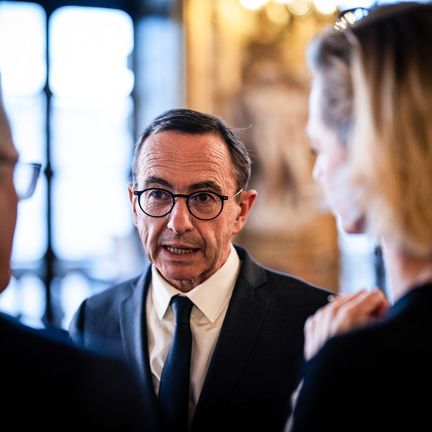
x: 257, y: 359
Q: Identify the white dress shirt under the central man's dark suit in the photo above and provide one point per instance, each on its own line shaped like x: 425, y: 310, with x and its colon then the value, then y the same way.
x: 210, y: 299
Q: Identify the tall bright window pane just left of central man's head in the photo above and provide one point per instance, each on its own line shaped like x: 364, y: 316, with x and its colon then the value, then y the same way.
x: 91, y: 136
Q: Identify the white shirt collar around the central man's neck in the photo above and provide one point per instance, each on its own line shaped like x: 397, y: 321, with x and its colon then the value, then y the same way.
x: 210, y: 296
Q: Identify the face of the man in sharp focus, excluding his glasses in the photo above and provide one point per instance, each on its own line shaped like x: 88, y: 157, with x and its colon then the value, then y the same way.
x: 186, y: 250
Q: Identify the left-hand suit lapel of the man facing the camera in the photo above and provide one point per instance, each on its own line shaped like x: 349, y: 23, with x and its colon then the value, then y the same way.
x: 134, y: 337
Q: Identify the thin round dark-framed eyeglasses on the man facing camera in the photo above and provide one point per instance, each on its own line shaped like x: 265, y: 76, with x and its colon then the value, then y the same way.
x: 203, y: 205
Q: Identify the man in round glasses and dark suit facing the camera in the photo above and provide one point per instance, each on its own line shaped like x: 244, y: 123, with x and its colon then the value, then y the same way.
x: 189, y: 197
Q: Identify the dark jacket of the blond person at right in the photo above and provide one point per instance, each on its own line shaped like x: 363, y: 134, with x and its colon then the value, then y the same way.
x: 375, y: 379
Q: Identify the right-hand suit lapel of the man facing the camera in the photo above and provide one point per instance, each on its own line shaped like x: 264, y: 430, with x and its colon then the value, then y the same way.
x: 242, y: 323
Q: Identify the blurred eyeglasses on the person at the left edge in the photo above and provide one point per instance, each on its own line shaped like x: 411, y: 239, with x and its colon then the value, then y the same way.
x: 25, y: 176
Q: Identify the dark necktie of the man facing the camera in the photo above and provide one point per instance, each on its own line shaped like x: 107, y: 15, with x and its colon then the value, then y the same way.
x: 174, y: 384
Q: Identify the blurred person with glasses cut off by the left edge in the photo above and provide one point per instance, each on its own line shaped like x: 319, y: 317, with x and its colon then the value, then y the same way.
x: 46, y: 383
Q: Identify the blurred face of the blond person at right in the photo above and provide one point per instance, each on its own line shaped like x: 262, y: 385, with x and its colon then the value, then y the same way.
x: 331, y: 167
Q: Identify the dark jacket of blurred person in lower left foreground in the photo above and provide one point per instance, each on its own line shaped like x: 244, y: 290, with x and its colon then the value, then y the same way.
x: 50, y: 385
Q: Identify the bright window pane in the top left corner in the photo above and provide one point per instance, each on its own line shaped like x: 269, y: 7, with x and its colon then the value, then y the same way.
x: 22, y: 47
